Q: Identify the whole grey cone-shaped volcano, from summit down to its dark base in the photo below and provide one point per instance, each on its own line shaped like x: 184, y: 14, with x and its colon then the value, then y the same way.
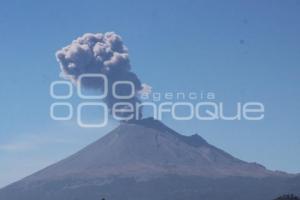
x: 145, y: 160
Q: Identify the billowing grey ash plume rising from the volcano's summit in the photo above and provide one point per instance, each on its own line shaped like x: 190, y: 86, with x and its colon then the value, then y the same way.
x: 100, y: 54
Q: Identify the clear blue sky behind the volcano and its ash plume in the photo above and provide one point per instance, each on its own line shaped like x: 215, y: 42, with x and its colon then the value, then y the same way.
x: 242, y: 51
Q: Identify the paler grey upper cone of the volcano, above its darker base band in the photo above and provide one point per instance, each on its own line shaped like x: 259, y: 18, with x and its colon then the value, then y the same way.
x: 148, y: 148
